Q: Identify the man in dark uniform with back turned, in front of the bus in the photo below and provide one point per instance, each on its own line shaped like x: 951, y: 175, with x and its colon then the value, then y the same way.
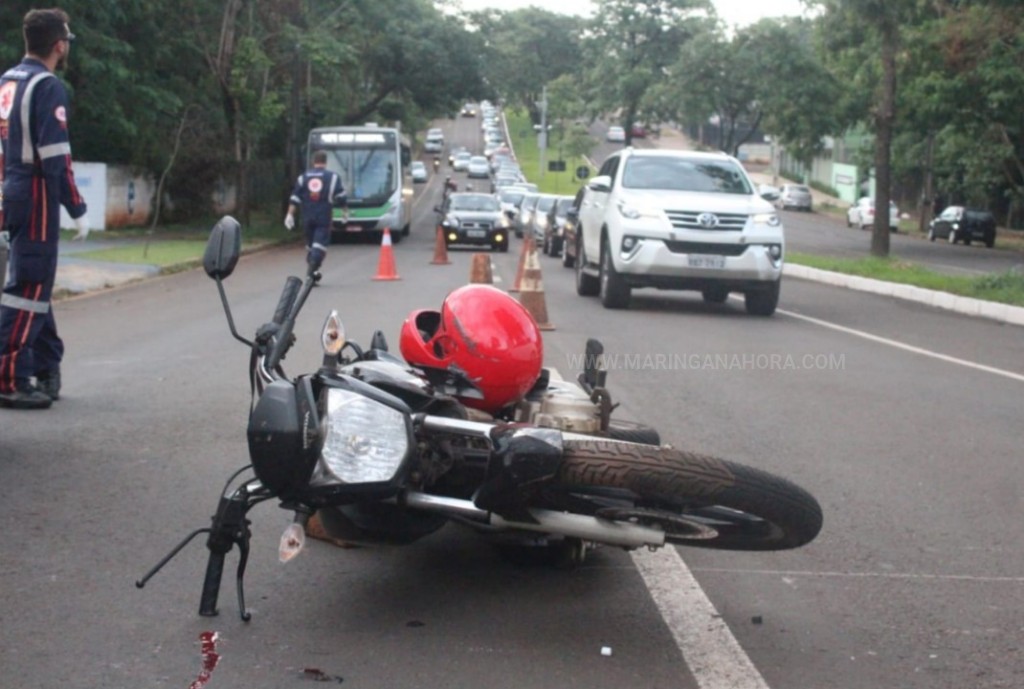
x: 318, y: 192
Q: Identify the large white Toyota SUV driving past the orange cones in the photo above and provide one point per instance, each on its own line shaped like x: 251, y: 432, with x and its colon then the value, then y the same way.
x: 677, y: 221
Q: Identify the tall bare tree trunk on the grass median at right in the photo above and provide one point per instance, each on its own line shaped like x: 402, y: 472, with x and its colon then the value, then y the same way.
x: 885, y: 118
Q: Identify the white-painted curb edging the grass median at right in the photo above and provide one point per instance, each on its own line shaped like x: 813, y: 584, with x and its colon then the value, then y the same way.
x: 967, y: 306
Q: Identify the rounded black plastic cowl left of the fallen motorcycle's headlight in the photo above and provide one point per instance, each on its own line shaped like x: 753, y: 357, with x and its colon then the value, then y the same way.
x: 284, y: 437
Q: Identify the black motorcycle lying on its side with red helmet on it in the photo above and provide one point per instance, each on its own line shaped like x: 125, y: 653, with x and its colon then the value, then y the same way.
x: 382, y: 450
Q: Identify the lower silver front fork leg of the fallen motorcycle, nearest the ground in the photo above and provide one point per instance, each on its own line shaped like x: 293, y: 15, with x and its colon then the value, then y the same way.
x: 563, y: 524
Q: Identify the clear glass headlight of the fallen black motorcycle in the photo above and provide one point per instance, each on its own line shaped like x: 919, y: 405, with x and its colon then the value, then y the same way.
x: 365, y: 441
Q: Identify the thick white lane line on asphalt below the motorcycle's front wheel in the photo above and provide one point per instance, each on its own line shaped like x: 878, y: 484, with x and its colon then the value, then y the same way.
x: 713, y: 655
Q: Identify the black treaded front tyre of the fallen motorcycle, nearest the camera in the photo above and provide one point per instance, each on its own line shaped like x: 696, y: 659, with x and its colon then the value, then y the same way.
x: 738, y: 507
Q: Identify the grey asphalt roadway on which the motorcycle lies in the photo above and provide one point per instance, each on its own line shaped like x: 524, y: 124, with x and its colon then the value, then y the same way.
x: 903, y: 420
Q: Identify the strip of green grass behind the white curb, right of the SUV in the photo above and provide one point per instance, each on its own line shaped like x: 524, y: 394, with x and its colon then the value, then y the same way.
x: 1006, y: 288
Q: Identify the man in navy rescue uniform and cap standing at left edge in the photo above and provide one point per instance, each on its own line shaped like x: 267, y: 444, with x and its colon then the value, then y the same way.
x: 37, y: 181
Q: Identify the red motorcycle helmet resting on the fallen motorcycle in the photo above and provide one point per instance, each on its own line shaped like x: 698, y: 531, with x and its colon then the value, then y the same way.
x: 486, y: 333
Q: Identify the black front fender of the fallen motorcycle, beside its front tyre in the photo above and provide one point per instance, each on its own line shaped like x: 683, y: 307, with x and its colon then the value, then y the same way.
x: 524, y: 459
